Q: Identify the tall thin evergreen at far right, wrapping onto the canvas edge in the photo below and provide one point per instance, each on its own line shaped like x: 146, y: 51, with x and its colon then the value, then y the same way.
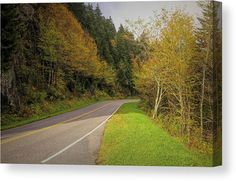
x: 209, y: 36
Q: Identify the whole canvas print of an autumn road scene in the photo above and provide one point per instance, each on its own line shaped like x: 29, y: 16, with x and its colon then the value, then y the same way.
x: 112, y: 83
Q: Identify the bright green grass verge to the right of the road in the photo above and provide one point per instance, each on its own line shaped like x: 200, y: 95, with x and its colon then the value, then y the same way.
x: 132, y: 138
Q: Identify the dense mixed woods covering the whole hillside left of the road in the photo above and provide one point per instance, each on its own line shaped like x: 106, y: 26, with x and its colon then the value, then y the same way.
x: 50, y: 53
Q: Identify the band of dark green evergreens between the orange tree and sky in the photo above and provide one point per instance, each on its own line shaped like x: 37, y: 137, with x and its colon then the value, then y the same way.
x: 112, y: 47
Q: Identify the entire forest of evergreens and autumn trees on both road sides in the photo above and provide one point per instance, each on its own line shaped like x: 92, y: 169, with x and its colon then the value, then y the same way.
x: 60, y: 52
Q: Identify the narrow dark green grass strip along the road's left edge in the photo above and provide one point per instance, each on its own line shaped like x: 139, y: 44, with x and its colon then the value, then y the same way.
x: 46, y: 110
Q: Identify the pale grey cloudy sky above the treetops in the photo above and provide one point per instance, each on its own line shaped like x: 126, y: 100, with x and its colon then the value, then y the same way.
x: 120, y: 11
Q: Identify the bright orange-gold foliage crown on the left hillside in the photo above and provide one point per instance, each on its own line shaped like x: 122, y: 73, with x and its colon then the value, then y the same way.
x: 80, y: 50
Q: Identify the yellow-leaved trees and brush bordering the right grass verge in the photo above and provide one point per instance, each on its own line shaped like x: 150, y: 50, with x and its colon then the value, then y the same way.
x: 180, y: 78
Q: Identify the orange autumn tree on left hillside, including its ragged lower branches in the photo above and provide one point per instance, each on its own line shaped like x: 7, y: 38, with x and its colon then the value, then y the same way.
x: 79, y: 52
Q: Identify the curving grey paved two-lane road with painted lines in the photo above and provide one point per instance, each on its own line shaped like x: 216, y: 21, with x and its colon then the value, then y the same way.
x: 70, y: 138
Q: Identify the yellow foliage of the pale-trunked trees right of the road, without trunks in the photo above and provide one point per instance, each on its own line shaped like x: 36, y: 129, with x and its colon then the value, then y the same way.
x: 172, y: 52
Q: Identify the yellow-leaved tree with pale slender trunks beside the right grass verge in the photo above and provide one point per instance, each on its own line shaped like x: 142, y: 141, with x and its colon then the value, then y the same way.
x: 165, y: 78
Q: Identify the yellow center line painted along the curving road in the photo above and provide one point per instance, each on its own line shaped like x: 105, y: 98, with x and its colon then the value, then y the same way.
x: 7, y: 140
